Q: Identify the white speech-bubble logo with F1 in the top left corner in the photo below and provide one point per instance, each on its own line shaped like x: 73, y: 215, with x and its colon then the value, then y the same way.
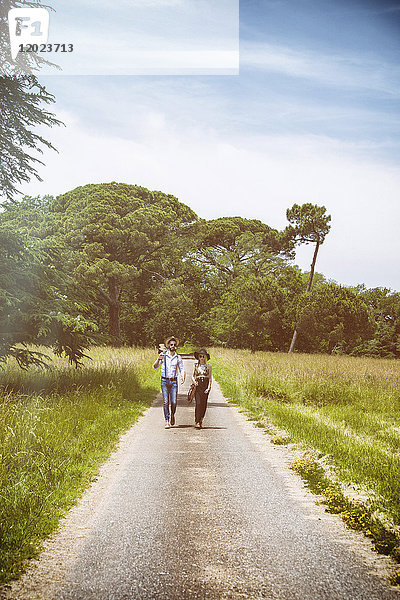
x: 27, y: 25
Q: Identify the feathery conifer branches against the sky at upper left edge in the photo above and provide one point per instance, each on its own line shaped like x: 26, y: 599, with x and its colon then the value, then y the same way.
x: 22, y: 101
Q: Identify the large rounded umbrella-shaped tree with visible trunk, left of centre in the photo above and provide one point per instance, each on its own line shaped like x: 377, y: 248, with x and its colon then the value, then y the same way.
x: 116, y: 233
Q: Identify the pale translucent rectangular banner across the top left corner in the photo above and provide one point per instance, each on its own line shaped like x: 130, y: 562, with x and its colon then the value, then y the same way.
x: 131, y: 37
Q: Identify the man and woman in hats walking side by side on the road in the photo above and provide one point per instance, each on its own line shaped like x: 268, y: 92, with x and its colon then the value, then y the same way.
x: 171, y: 363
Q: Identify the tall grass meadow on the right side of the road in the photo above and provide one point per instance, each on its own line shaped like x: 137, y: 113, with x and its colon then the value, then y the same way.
x: 346, y: 409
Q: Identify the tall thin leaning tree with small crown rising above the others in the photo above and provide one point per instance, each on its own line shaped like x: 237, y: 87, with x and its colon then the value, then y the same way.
x: 309, y: 223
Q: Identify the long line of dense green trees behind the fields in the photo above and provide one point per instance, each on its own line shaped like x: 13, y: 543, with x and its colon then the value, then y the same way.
x: 120, y: 264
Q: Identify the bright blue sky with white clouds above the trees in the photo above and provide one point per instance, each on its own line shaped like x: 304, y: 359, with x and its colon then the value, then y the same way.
x: 311, y: 115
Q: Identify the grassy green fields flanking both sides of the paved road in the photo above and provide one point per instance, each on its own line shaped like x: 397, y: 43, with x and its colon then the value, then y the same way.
x: 61, y: 424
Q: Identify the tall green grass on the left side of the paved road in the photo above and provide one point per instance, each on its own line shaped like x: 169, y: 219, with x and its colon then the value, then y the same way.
x: 58, y: 426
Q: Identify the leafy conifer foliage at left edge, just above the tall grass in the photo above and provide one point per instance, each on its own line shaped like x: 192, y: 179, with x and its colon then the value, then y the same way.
x: 33, y: 305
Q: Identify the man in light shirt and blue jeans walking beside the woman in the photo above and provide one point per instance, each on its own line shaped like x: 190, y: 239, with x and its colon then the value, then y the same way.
x: 170, y: 363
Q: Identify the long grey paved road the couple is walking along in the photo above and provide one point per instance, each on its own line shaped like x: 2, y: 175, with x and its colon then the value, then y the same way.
x: 210, y: 514
